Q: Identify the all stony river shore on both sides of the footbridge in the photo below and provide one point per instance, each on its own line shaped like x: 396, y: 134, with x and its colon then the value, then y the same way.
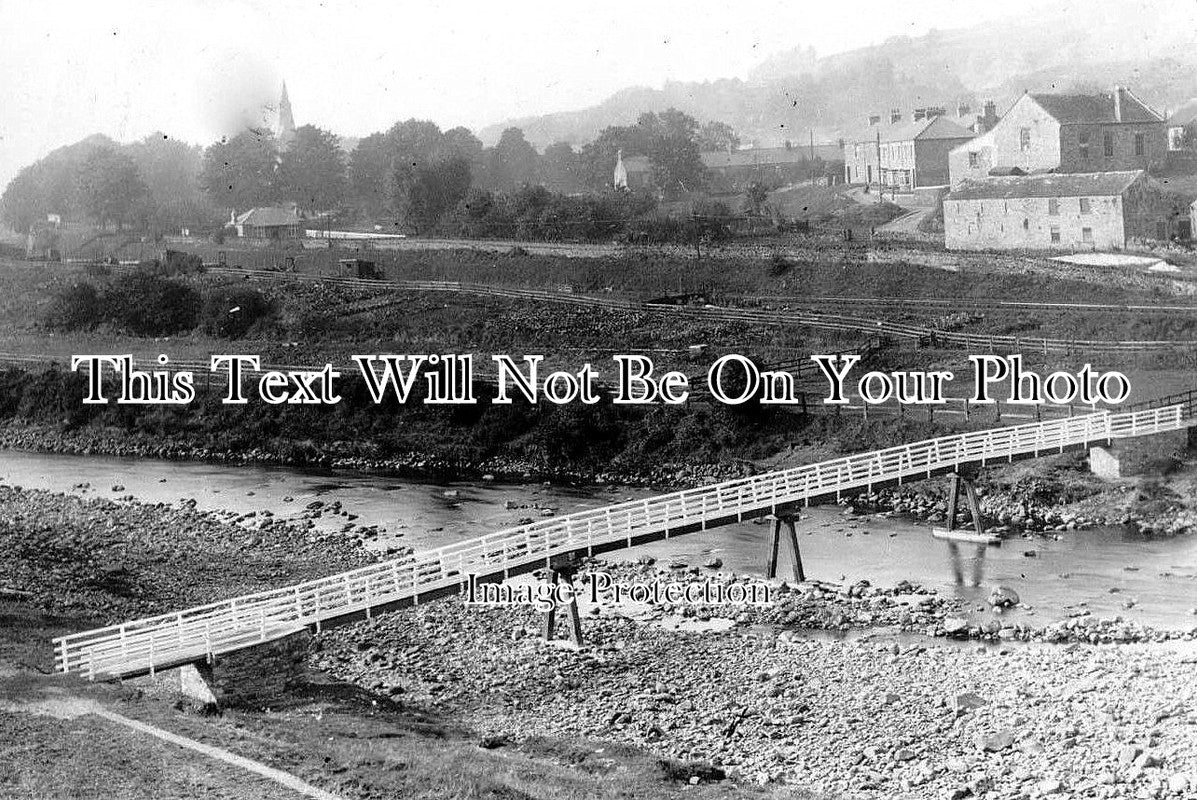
x: 838, y: 692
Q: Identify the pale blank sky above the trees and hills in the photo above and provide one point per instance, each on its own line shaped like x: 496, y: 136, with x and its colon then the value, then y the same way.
x: 199, y: 70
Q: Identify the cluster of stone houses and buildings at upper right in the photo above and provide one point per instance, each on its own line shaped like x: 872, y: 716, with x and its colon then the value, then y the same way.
x: 1054, y: 172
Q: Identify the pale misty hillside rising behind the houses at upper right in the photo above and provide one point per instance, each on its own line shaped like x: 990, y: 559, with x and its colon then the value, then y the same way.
x: 791, y: 94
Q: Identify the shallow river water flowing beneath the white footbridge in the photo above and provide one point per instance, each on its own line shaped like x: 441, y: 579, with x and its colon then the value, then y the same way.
x: 1103, y: 571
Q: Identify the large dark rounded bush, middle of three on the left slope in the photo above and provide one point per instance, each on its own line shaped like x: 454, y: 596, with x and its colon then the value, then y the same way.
x: 149, y: 306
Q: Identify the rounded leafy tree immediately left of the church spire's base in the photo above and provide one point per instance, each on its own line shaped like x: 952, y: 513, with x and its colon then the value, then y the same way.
x: 242, y: 172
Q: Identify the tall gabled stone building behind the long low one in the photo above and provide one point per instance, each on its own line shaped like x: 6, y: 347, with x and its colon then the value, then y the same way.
x: 1066, y: 134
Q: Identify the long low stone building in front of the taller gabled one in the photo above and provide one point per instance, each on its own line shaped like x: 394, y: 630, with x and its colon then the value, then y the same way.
x: 1080, y: 211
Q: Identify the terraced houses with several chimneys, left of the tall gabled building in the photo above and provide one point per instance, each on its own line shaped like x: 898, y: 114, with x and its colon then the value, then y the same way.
x: 903, y: 156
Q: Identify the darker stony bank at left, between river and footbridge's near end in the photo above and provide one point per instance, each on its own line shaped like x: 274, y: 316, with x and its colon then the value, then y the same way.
x: 114, y: 560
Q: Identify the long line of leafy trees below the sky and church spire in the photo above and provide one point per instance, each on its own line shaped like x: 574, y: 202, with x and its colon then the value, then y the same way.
x: 414, y: 174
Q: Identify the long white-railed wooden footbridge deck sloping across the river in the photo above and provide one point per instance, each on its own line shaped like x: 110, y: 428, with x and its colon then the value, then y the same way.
x: 144, y: 646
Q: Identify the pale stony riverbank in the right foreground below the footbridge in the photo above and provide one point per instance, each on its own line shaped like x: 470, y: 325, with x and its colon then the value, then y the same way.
x: 882, y: 714
